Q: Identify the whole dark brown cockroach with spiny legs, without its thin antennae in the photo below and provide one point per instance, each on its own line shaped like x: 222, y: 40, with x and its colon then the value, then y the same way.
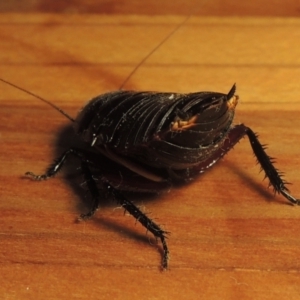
x: 152, y: 140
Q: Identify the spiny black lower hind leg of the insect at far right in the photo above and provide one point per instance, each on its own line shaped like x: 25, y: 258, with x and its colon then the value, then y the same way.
x: 267, y: 164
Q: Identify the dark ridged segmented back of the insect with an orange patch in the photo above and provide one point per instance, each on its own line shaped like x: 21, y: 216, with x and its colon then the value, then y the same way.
x: 165, y: 130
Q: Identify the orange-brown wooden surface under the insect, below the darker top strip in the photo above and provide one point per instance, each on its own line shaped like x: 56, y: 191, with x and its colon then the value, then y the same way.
x: 230, y: 237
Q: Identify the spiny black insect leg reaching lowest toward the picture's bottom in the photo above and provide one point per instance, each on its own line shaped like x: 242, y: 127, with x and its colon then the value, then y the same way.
x: 143, y: 219
